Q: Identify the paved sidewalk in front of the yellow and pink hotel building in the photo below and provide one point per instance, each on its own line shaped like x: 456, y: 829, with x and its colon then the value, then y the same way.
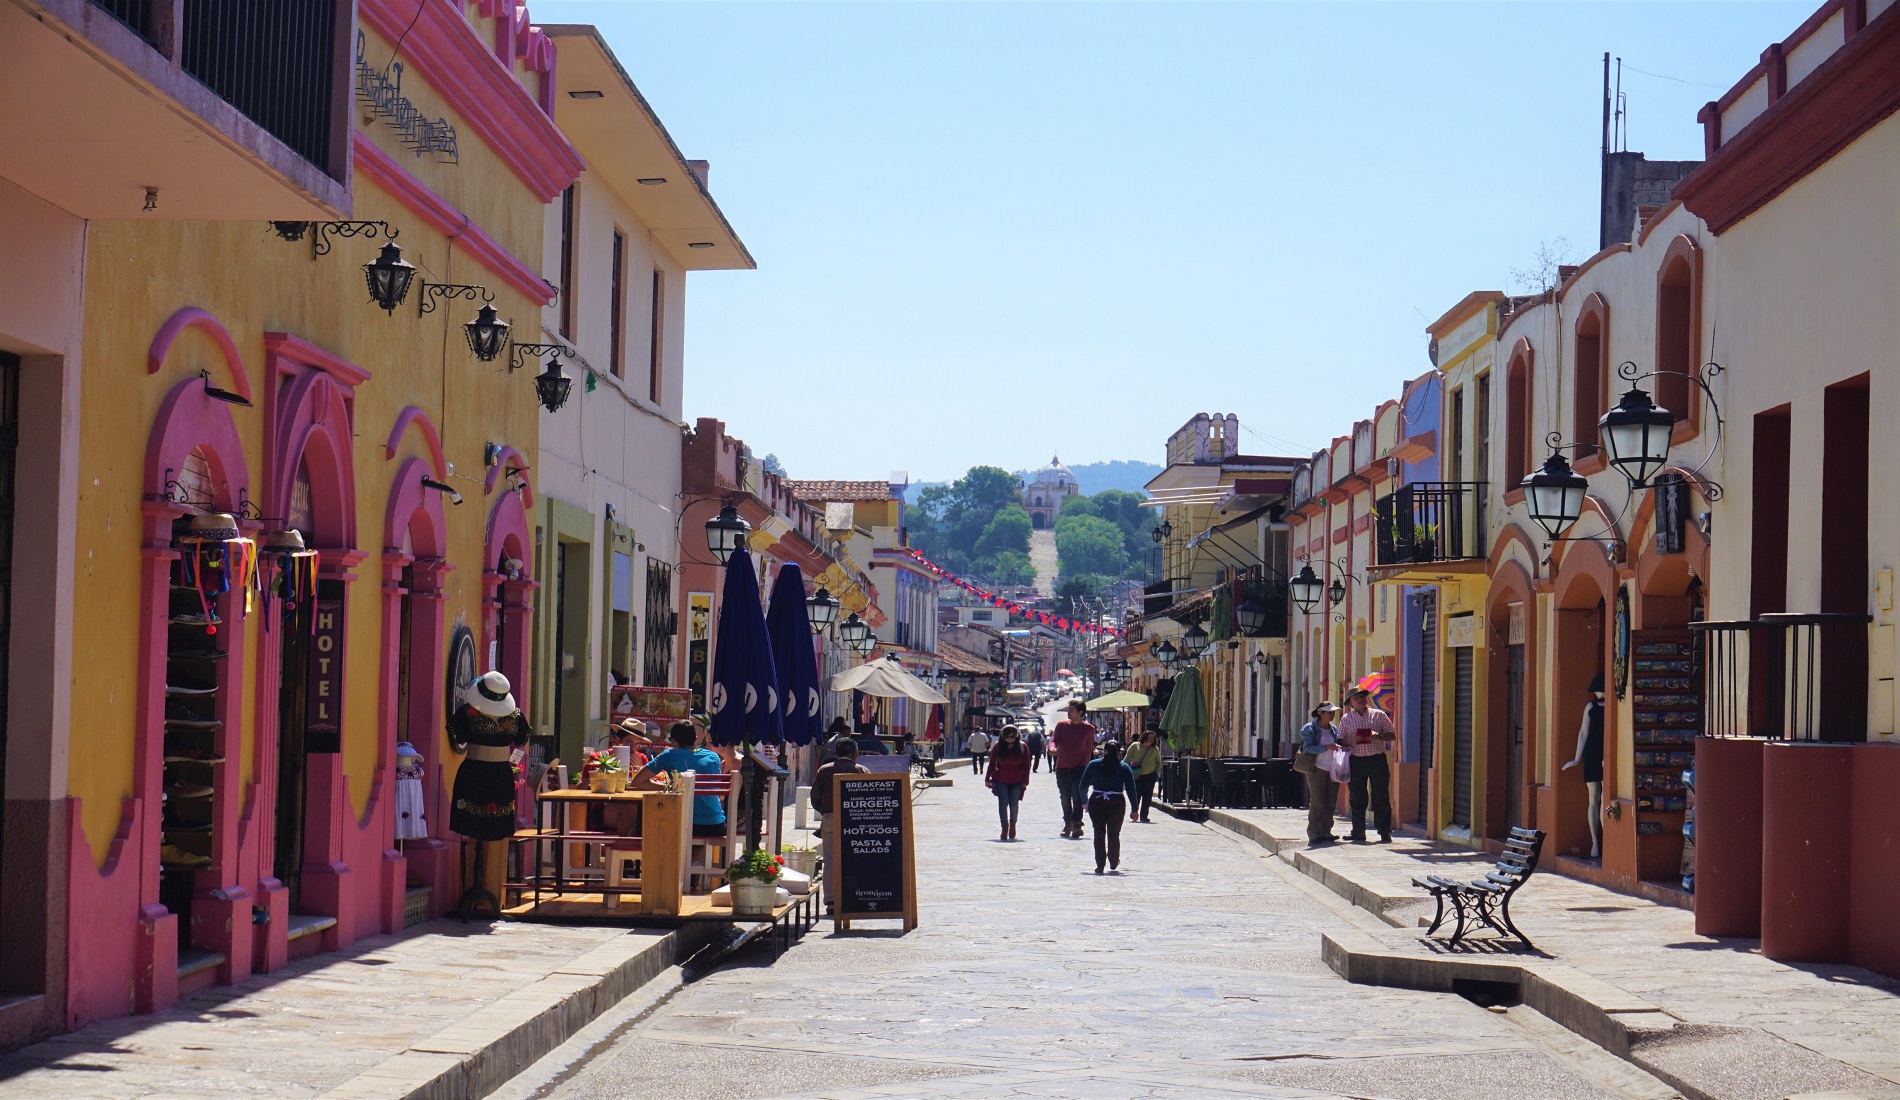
x: 440, y: 1010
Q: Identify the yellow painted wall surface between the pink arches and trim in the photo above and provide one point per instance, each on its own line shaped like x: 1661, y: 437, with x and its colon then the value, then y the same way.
x: 140, y: 275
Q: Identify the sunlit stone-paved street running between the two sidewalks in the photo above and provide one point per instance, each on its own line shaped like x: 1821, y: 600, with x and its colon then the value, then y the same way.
x: 1194, y: 974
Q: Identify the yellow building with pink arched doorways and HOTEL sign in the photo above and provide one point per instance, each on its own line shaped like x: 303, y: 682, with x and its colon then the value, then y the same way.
x: 235, y: 782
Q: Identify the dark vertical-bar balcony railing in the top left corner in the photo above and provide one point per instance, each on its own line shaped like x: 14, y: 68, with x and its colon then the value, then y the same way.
x: 273, y: 60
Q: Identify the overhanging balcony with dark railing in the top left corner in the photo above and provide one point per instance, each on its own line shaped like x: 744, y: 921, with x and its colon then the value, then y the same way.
x: 223, y: 109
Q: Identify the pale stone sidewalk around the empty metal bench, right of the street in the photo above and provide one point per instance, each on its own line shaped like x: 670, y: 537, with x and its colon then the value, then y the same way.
x: 1734, y: 1023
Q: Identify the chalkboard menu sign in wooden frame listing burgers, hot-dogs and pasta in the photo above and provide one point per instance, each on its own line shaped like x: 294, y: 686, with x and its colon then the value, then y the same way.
x: 871, y: 841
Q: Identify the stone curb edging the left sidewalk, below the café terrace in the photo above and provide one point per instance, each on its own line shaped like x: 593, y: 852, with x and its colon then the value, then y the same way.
x: 501, y: 1040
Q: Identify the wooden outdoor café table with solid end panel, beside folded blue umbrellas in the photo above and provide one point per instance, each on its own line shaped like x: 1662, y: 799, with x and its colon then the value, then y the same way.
x: 664, y: 833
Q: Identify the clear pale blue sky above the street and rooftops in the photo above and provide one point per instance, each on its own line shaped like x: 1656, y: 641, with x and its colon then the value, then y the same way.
x: 995, y: 231
